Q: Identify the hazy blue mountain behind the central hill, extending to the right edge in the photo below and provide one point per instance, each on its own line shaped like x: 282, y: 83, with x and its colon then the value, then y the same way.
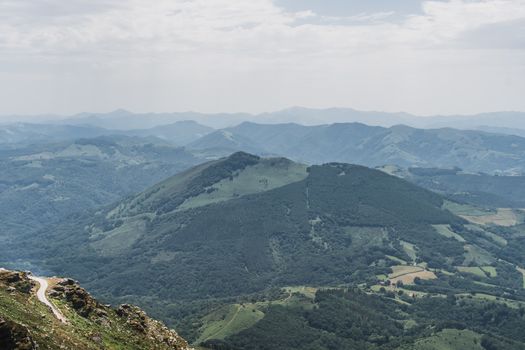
x: 375, y: 146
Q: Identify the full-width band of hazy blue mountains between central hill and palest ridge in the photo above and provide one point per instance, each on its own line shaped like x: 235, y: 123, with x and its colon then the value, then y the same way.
x: 471, y: 150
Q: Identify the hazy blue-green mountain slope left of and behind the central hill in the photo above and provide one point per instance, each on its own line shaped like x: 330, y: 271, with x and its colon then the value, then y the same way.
x: 43, y: 184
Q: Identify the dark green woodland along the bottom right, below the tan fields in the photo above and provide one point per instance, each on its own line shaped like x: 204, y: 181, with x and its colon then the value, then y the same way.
x: 351, y: 319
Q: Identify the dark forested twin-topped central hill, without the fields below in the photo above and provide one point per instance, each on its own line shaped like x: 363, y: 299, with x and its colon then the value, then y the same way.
x: 244, y: 223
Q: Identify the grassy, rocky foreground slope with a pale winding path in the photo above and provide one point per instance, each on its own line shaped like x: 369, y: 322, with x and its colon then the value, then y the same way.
x: 74, y: 320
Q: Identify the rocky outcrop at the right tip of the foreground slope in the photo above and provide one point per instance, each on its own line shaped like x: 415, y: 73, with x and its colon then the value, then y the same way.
x: 140, y: 322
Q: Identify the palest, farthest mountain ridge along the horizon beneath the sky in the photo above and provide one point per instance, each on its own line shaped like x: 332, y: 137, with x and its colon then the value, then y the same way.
x: 506, y: 122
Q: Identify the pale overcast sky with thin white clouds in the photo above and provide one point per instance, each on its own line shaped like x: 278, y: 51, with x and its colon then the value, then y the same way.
x: 423, y: 57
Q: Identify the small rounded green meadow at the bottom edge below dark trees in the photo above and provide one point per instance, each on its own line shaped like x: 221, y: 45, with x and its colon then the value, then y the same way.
x: 449, y: 339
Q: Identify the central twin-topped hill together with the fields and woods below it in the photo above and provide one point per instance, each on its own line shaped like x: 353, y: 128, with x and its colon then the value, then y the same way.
x: 245, y: 251
